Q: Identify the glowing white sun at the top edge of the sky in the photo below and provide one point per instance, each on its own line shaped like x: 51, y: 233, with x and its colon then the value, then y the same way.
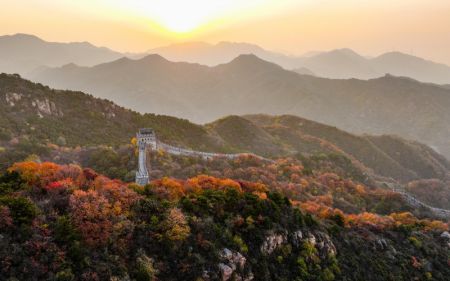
x: 185, y: 16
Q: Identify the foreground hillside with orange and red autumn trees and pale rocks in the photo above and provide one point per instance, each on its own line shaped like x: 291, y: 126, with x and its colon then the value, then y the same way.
x: 61, y: 222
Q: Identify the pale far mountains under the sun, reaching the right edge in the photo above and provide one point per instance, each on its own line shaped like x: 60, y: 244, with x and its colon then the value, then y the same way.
x: 337, y: 64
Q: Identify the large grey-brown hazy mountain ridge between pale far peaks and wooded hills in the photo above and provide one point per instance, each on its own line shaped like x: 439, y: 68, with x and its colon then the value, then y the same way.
x: 250, y: 85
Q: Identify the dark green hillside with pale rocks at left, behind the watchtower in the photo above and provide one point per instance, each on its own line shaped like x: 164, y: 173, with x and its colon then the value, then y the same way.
x: 36, y: 112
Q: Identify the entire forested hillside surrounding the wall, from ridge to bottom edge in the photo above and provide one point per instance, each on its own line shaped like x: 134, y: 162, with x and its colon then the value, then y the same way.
x: 319, y: 211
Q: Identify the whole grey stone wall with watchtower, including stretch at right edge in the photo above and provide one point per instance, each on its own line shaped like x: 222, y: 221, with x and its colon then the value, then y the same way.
x: 146, y: 138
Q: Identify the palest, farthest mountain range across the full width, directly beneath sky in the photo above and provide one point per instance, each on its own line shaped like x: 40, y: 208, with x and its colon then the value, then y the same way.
x: 24, y: 54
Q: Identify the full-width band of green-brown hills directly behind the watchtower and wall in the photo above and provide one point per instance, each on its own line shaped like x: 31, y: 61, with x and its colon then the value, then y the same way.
x: 35, y: 113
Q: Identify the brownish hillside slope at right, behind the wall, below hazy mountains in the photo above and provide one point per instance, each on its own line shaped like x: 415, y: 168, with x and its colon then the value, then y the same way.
x: 385, y: 155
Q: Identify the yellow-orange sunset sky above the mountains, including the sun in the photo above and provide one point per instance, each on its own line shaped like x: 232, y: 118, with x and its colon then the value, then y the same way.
x: 418, y: 27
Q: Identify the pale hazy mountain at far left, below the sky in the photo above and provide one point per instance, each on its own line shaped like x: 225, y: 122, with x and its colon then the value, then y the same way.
x: 22, y: 53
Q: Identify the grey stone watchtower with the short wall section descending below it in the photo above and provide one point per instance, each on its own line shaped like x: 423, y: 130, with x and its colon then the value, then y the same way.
x: 145, y: 137
